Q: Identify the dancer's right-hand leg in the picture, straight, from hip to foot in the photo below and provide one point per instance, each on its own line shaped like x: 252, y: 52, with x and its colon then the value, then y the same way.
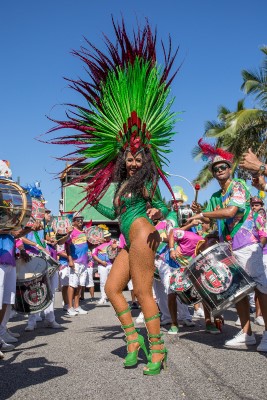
x: 144, y: 242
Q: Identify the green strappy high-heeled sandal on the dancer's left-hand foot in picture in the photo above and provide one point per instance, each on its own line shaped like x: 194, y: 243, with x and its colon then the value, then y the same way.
x: 132, y: 357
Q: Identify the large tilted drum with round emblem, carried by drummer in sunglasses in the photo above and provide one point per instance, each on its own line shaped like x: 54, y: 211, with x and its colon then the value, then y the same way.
x: 218, y: 278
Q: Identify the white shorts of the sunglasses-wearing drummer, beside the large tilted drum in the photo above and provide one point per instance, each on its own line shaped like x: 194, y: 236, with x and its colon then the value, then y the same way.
x: 251, y: 260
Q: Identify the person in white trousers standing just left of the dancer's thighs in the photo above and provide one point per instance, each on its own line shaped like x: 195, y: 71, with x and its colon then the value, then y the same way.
x: 100, y: 255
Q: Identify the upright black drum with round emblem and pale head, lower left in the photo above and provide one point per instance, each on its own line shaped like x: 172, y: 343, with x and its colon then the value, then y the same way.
x: 33, y: 290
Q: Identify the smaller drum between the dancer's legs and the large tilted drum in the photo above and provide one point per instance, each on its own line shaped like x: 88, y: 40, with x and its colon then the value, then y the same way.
x: 183, y: 287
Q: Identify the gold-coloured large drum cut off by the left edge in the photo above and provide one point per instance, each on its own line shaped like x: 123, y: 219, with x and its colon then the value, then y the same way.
x: 15, y: 205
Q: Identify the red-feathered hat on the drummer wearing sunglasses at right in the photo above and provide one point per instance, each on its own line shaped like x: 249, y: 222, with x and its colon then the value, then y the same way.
x: 214, y: 154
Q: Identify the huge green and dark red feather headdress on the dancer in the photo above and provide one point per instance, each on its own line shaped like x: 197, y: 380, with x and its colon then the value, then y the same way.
x: 128, y: 107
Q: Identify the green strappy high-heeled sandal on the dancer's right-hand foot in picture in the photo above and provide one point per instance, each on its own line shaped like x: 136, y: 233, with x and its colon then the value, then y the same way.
x: 154, y: 368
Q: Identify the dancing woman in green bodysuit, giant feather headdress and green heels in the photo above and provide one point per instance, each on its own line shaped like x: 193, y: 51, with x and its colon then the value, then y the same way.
x: 126, y: 130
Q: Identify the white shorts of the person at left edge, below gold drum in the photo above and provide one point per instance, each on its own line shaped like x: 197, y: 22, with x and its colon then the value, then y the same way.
x: 7, y: 284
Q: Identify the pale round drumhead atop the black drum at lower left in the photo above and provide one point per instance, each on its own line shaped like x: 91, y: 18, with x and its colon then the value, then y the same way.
x: 28, y: 270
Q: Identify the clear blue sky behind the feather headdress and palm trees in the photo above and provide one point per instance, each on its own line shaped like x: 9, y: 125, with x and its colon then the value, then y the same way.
x: 217, y: 40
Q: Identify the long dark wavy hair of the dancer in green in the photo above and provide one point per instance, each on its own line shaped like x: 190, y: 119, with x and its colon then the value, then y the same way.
x: 136, y: 183
